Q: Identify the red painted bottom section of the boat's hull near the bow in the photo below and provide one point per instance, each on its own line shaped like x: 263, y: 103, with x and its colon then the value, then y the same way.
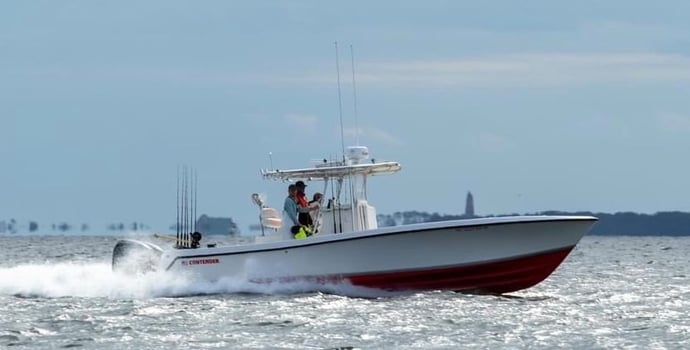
x: 494, y: 277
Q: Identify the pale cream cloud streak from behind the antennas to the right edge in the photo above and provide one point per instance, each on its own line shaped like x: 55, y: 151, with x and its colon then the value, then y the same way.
x: 523, y: 69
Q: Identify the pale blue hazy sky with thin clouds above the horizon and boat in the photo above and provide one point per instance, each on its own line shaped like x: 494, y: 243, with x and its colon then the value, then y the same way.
x: 530, y: 105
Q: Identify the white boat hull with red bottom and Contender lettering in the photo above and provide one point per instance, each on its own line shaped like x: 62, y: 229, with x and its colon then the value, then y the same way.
x: 490, y: 255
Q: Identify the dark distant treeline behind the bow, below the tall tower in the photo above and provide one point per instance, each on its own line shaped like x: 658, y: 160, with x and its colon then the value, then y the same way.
x: 672, y: 223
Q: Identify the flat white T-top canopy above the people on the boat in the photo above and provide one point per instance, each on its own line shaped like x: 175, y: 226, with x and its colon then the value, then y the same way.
x: 321, y: 172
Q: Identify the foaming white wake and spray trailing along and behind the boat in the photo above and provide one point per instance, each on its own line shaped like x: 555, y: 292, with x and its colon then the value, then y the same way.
x: 97, y: 280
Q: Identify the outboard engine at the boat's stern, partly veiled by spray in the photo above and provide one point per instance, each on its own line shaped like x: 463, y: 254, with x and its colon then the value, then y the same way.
x: 131, y: 256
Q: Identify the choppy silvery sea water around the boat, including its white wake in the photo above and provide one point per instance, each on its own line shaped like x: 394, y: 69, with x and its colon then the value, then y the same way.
x: 610, y: 293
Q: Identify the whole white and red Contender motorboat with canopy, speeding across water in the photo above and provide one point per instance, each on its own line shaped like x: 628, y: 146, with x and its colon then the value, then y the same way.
x: 482, y: 255
